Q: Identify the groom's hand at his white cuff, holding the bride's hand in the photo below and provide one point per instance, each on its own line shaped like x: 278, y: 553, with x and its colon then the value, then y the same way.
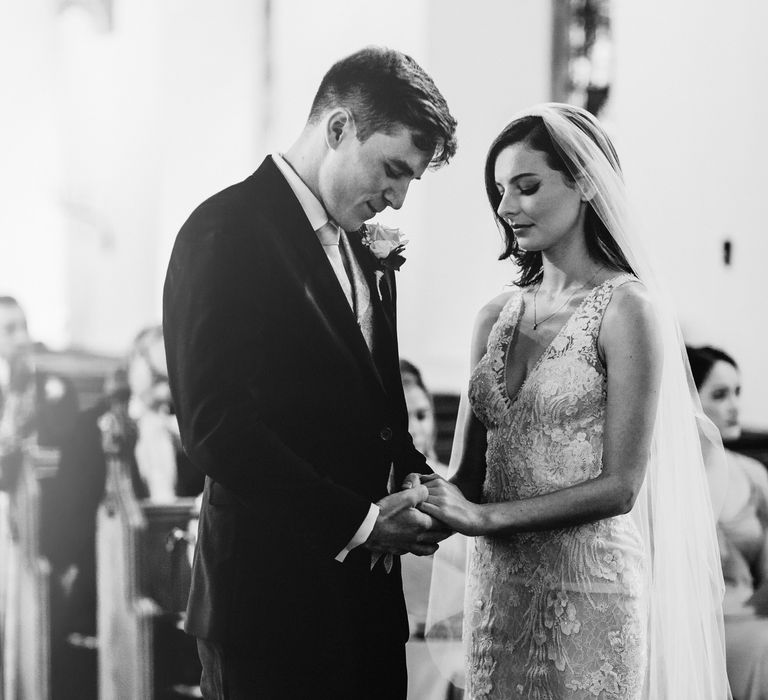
x: 400, y: 528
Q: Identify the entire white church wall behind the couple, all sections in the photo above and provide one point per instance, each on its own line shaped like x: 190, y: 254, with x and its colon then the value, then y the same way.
x: 110, y: 139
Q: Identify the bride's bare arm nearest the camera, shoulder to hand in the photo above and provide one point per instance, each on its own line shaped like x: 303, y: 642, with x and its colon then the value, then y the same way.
x: 631, y: 347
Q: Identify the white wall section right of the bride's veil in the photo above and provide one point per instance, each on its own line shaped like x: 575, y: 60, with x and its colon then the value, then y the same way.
x: 690, y: 113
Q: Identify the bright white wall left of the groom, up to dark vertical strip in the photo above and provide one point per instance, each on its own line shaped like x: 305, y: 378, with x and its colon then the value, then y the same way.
x: 111, y: 139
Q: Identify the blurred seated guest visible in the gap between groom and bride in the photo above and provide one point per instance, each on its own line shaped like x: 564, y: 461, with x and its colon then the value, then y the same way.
x: 426, y: 680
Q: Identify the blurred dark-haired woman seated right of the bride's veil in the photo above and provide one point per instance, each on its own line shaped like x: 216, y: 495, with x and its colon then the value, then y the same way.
x: 742, y: 529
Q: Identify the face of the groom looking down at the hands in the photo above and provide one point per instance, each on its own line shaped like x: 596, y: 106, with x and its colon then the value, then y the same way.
x: 357, y: 180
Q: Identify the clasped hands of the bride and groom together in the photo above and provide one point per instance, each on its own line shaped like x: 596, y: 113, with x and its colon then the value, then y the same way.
x: 418, y: 517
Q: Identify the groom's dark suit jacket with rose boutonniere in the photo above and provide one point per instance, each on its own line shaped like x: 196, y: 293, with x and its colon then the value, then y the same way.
x: 293, y: 421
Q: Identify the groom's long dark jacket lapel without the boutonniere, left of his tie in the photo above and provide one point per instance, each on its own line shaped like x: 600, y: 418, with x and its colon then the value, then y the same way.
x: 314, y: 269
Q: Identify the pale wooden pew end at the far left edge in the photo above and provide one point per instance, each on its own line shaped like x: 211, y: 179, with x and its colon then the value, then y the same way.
x: 26, y: 577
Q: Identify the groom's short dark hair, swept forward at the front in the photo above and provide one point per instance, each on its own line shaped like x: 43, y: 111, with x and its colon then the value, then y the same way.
x: 384, y: 90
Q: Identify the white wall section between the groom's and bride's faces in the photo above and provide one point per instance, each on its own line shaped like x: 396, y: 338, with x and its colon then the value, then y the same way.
x: 490, y: 59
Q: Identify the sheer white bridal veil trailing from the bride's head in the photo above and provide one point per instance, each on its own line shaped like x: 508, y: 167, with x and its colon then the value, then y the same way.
x: 674, y: 511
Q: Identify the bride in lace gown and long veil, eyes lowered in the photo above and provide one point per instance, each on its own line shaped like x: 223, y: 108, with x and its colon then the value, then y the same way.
x: 594, y: 571
